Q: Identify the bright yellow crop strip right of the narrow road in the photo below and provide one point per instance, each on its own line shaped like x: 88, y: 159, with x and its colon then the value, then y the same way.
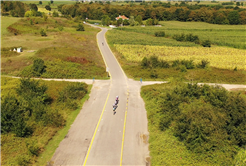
x: 219, y: 57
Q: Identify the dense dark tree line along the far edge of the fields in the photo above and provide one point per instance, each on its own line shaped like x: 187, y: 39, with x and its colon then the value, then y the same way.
x: 163, y: 12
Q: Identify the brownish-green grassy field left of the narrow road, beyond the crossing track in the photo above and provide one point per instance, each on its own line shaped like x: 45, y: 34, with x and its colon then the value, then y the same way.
x: 64, y: 49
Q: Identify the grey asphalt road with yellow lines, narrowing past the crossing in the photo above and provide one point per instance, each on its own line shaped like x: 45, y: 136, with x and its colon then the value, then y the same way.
x: 101, y: 137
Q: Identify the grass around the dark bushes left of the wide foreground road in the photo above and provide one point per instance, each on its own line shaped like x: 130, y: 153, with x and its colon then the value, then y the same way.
x: 14, y: 149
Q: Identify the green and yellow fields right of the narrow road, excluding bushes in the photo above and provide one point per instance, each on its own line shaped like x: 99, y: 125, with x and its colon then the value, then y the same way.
x: 139, y: 42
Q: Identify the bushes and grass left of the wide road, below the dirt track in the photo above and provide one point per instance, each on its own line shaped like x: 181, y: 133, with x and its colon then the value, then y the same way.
x: 32, y: 112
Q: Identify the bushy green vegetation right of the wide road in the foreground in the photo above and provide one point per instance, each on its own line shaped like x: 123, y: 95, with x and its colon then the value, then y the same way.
x: 195, y: 125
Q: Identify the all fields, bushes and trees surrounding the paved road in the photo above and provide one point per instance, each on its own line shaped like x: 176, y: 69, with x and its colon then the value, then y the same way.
x: 184, y: 43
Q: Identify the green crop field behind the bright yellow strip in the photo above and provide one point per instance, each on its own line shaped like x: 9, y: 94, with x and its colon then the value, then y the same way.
x: 221, y: 35
